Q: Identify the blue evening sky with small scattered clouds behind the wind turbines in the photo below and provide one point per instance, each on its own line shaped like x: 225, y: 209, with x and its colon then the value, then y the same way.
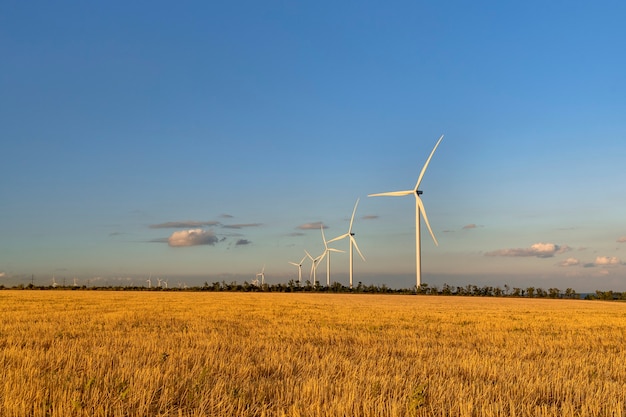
x: 204, y: 141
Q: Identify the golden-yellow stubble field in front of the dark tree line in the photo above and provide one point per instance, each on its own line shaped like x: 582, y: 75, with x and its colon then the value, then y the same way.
x: 91, y: 353
